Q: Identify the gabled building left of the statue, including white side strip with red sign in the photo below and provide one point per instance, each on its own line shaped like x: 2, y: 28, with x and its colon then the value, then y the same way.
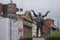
x: 26, y: 21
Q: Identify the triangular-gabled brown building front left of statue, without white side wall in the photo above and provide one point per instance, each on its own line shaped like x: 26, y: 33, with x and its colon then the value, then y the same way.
x: 27, y: 23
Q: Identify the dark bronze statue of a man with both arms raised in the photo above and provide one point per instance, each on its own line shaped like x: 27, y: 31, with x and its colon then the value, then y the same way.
x: 39, y: 21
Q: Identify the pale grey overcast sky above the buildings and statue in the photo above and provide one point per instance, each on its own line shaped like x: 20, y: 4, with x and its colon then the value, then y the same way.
x: 40, y: 6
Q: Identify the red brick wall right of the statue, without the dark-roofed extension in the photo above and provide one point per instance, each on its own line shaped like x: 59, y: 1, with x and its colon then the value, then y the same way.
x: 46, y: 27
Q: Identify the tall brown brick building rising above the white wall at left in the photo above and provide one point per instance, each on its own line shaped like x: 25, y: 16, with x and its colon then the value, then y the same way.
x: 8, y: 10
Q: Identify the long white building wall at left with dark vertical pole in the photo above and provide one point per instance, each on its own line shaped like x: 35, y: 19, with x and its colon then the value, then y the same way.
x: 8, y: 29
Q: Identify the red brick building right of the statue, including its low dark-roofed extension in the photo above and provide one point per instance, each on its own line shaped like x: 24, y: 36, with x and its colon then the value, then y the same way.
x: 48, y: 27
